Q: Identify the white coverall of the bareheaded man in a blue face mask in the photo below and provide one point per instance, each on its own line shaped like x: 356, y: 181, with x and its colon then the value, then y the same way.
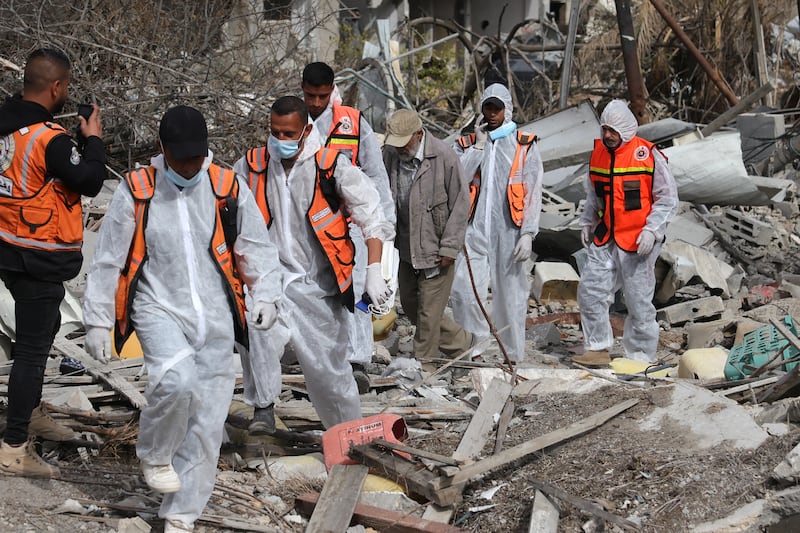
x: 312, y: 323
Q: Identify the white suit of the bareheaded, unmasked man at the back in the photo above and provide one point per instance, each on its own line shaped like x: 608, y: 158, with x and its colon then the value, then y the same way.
x: 370, y: 162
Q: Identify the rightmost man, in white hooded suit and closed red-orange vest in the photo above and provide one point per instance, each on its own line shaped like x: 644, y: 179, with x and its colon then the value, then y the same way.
x: 630, y: 198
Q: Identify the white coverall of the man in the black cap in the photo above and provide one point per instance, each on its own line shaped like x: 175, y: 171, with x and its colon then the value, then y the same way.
x: 183, y: 320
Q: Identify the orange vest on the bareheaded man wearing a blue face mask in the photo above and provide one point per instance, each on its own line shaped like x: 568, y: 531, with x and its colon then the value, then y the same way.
x: 324, y: 214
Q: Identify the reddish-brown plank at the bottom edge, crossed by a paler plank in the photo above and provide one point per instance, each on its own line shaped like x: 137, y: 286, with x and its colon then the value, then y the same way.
x: 383, y: 520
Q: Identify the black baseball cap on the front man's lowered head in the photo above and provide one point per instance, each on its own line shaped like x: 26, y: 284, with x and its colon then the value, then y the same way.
x: 183, y: 131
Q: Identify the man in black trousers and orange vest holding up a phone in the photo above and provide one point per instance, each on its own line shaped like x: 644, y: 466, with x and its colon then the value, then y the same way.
x: 42, y: 177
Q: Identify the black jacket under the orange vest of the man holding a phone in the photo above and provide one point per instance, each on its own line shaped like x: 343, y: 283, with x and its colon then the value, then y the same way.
x: 86, y: 177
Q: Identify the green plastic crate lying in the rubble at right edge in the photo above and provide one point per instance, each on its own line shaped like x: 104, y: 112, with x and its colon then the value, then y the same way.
x: 758, y: 347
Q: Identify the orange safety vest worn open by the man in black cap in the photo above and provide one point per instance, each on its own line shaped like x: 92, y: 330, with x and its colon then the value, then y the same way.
x: 141, y: 183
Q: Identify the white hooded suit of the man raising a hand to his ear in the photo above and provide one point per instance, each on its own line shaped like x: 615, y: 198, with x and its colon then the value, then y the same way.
x: 492, y: 236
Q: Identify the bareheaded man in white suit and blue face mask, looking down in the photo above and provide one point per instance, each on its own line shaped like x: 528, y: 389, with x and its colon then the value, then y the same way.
x: 303, y: 191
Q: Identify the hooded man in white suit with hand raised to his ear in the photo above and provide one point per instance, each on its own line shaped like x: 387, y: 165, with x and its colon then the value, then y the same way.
x: 505, y: 170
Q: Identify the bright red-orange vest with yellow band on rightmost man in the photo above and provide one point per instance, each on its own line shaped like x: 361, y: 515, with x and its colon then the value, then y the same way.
x: 623, y: 183
